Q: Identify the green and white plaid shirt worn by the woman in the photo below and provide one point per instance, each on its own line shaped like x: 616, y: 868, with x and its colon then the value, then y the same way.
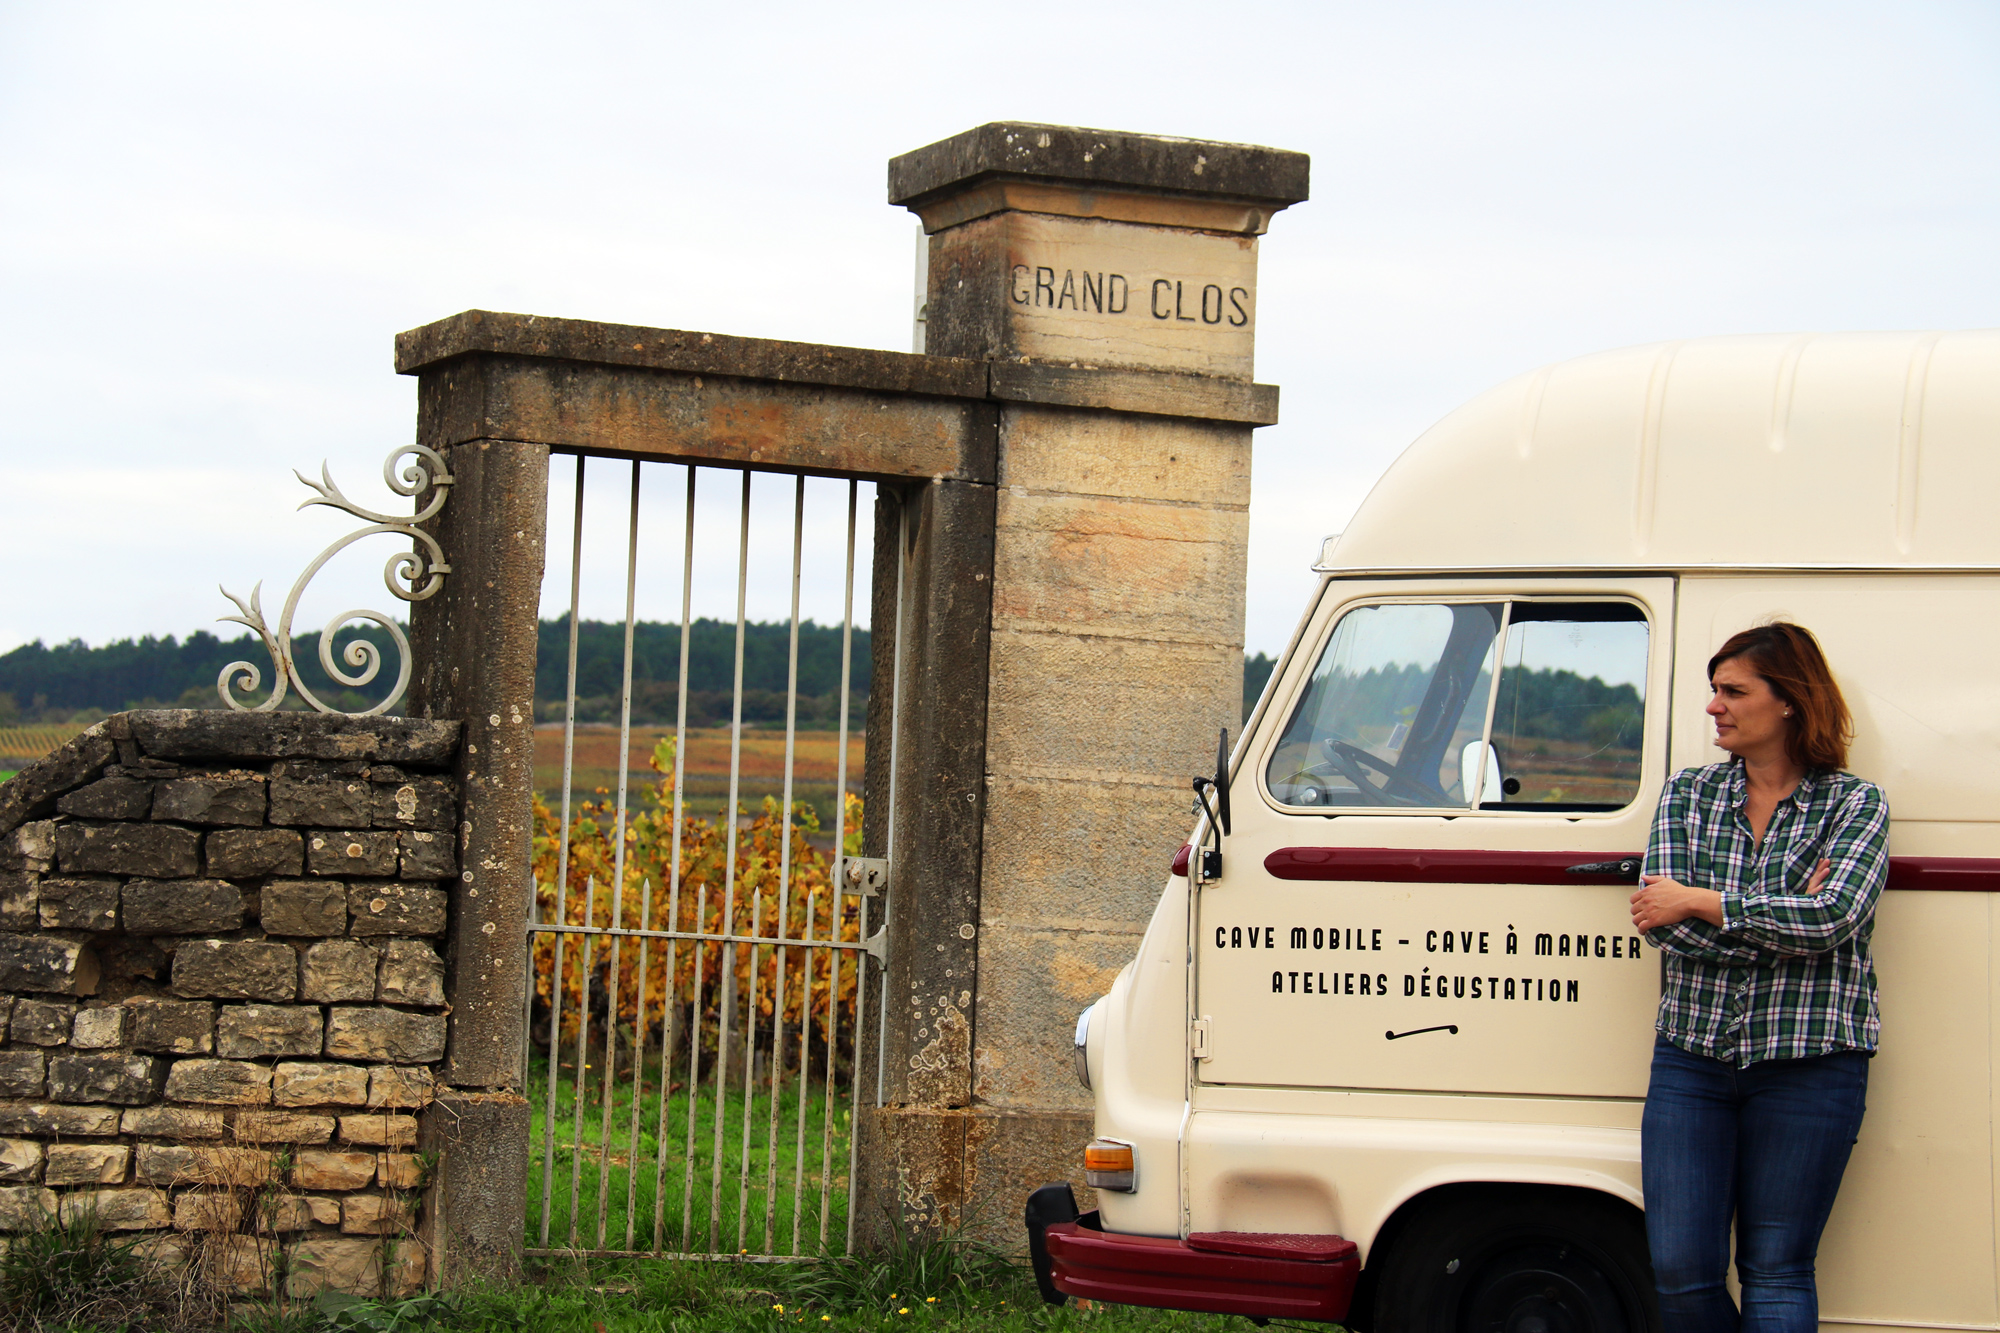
x: 1789, y: 974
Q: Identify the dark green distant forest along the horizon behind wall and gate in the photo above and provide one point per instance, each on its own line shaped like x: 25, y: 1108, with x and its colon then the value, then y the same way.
x: 73, y: 680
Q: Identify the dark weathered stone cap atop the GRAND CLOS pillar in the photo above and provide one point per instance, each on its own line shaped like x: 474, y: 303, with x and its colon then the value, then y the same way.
x: 1097, y: 173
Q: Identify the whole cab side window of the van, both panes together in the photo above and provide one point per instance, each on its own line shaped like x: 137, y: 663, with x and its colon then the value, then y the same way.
x: 1405, y: 710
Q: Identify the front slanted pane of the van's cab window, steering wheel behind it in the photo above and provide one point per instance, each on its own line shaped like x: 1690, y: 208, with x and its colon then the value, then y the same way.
x: 1395, y: 700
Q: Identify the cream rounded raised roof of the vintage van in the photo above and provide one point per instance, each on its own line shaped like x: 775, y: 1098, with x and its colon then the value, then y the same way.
x: 1823, y: 451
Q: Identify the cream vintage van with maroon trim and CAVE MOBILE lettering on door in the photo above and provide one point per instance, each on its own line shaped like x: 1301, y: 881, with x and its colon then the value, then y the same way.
x: 1383, y: 1052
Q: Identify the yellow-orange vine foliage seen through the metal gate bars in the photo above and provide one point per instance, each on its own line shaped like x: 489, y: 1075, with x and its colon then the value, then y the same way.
x: 659, y: 984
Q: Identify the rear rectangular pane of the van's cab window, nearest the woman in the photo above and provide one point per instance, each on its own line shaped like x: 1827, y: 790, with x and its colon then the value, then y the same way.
x: 1571, y: 710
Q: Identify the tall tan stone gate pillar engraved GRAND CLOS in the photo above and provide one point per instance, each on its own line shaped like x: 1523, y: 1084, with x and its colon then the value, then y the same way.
x: 1111, y: 285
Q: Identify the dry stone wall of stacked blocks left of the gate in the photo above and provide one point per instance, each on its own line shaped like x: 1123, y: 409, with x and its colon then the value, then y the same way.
x: 223, y: 990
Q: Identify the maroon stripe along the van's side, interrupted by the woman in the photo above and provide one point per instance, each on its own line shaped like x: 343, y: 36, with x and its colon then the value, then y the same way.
x: 1401, y: 866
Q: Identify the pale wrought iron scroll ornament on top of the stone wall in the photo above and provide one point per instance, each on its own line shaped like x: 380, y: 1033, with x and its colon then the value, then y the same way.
x: 411, y: 575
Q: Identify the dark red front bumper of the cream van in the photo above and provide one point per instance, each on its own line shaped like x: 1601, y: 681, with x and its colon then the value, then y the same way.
x: 1225, y: 1274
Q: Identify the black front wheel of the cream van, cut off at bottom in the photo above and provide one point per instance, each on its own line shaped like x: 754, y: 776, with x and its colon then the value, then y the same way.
x: 1519, y: 1262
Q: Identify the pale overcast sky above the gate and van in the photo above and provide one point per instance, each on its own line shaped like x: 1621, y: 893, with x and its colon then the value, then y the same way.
x: 217, y: 217
